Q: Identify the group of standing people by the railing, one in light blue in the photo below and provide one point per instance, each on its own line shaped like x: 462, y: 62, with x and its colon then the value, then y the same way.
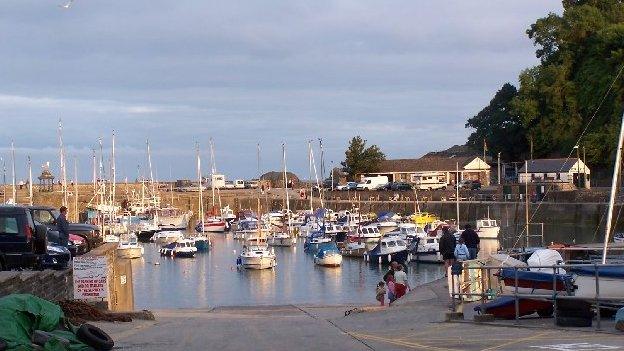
x: 466, y: 248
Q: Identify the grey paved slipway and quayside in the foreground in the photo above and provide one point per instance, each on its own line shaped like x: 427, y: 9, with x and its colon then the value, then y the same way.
x: 415, y: 323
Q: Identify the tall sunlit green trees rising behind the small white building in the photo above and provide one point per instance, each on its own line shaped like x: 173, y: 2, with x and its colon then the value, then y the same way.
x: 581, y: 53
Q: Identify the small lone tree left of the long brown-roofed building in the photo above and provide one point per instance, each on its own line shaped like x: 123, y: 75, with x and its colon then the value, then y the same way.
x: 361, y: 159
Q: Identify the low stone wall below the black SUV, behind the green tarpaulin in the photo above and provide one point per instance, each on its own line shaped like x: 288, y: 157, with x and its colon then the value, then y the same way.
x: 48, y: 284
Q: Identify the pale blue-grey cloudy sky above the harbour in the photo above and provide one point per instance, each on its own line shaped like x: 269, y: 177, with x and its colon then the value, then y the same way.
x: 404, y: 75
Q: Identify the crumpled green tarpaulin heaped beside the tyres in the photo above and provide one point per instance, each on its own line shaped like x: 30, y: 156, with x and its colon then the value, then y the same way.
x: 21, y: 314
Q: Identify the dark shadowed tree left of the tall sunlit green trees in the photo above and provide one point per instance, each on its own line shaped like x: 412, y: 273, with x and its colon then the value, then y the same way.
x: 499, y: 127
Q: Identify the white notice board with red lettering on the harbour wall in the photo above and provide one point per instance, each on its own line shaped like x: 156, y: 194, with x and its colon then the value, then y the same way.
x: 90, y: 277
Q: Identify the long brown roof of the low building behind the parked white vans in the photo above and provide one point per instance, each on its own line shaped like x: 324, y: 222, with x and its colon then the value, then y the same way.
x: 424, y: 164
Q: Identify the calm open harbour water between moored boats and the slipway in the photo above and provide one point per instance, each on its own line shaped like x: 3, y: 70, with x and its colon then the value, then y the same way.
x: 211, y: 279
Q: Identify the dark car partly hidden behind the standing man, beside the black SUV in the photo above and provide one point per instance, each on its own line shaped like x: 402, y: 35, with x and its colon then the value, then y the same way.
x: 90, y: 233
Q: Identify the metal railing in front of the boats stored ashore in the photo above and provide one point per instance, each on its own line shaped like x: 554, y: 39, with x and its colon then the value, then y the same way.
x: 487, y: 293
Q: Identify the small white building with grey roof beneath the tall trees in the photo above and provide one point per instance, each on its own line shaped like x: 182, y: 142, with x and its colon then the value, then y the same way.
x: 556, y: 170
